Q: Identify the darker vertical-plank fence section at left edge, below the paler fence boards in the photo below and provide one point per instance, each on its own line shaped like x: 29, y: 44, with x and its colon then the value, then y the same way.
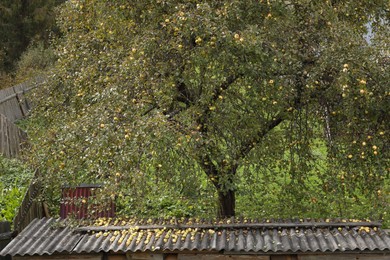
x: 11, y: 138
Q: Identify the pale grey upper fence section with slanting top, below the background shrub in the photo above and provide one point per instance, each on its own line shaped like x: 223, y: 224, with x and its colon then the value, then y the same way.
x: 13, y: 102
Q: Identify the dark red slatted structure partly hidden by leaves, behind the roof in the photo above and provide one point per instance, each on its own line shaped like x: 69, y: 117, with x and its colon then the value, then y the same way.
x: 80, y: 202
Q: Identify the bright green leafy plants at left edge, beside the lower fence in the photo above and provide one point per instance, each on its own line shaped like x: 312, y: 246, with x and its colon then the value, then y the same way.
x: 14, y: 180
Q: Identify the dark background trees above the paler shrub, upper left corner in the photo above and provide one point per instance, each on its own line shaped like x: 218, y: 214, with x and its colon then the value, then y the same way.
x: 23, y: 23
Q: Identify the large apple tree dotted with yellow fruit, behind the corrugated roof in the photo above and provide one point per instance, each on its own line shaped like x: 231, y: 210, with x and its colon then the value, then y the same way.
x: 178, y: 103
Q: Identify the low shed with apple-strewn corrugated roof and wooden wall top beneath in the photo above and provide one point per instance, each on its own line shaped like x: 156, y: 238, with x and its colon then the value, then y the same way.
x: 190, y: 239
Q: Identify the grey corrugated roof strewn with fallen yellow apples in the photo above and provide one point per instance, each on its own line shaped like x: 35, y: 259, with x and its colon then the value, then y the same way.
x: 49, y: 236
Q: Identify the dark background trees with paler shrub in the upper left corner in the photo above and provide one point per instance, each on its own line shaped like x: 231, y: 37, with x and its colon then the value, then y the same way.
x: 26, y: 29
